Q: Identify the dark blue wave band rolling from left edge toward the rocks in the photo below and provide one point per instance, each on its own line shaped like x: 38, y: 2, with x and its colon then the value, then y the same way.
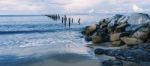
x: 36, y: 28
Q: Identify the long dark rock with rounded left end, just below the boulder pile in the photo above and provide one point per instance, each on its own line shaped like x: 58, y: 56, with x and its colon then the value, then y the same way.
x: 133, y: 55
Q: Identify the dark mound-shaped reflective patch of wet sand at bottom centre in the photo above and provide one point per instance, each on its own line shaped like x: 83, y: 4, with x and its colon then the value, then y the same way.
x: 69, y: 59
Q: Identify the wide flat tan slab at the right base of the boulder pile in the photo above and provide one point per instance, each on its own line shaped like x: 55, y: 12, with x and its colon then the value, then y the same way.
x: 131, y: 41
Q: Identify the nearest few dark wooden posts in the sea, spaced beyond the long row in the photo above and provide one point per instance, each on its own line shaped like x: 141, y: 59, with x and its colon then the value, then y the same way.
x: 68, y: 20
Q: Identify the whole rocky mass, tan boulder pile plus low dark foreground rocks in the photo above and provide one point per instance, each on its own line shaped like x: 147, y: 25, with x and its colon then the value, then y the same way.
x: 132, y: 32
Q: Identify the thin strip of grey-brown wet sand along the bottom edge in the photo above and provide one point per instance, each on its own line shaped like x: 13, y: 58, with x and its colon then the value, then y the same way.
x: 57, y: 63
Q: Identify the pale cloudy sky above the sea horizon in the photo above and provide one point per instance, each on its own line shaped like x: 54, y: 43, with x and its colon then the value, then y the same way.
x: 72, y: 6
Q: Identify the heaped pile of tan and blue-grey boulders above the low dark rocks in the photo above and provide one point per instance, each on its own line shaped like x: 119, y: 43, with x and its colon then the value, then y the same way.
x: 120, y: 30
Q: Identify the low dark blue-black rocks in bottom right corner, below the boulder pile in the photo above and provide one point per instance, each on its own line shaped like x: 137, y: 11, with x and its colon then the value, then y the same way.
x: 138, y: 55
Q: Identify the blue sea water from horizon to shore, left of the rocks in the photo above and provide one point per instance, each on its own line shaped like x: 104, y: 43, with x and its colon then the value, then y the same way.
x: 40, y: 41
